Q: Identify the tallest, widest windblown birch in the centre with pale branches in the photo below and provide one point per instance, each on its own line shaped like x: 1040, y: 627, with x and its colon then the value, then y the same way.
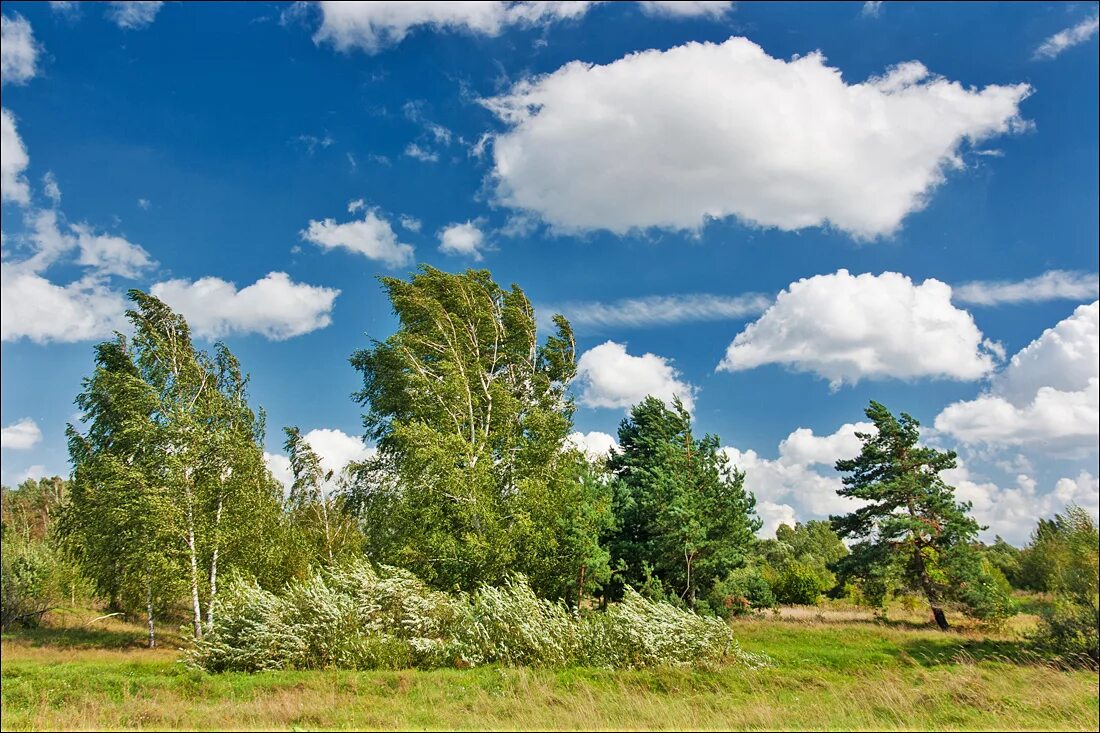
x: 475, y: 479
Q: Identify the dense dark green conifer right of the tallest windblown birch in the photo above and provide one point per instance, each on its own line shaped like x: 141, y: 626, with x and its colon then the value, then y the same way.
x: 683, y: 515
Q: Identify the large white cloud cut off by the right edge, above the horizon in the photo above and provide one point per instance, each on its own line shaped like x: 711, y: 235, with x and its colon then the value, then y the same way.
x: 1047, y: 397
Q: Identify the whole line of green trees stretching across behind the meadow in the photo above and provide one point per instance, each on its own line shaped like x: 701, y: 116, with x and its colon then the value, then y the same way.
x: 475, y: 482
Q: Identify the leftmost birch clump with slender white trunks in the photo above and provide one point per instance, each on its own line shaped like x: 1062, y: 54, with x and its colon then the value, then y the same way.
x: 169, y: 482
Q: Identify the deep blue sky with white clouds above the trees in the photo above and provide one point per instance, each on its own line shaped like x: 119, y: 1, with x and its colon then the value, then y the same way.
x: 661, y: 173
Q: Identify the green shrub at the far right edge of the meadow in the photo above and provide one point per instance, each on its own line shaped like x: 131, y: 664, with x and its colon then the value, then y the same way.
x: 1063, y: 557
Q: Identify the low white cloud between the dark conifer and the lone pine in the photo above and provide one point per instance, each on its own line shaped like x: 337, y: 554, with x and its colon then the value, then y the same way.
x: 801, y: 484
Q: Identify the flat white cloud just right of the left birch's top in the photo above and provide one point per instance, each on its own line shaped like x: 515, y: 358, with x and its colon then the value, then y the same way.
x: 274, y: 307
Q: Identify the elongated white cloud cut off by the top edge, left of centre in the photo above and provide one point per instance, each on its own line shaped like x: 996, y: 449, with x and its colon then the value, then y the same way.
x: 372, y: 27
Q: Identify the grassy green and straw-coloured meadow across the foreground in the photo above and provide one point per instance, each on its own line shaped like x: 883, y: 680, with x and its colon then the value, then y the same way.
x: 834, y: 670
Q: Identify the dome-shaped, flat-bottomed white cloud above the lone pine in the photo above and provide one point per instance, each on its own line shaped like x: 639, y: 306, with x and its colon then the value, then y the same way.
x: 849, y: 329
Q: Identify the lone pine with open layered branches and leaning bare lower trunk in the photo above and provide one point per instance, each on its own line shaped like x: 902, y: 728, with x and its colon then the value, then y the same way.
x: 910, y: 524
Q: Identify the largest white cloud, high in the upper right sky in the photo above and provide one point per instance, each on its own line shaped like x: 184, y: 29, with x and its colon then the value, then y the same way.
x: 674, y: 138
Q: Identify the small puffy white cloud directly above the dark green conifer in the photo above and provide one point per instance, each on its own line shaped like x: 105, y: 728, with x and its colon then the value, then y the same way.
x: 610, y: 377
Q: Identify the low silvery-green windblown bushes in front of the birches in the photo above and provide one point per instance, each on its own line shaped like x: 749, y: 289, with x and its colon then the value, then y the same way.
x: 356, y: 617
